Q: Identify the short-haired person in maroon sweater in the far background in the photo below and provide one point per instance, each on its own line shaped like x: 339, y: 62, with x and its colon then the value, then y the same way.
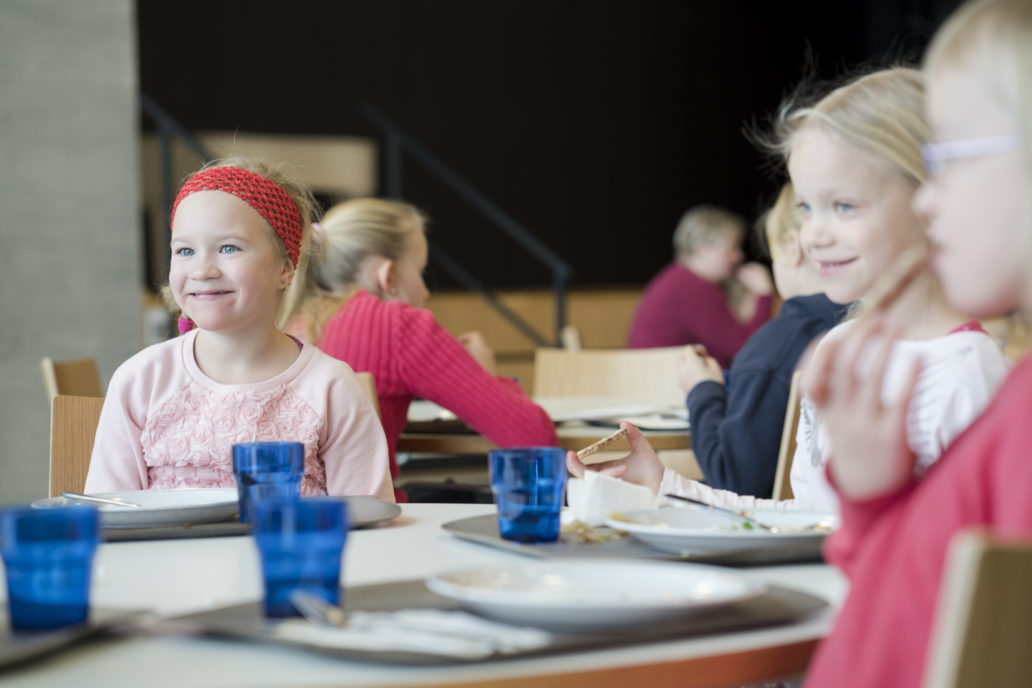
x: 687, y: 303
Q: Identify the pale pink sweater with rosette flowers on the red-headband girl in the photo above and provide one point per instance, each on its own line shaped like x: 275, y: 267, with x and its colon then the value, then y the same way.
x: 166, y: 424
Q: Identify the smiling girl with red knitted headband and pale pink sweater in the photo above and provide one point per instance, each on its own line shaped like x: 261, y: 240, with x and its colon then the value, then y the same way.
x: 174, y: 411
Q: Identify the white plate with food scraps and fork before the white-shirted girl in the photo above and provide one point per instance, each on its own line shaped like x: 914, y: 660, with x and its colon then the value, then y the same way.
x: 692, y: 530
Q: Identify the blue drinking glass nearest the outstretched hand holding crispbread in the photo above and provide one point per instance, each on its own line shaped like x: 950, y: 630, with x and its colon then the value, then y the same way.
x: 528, y: 483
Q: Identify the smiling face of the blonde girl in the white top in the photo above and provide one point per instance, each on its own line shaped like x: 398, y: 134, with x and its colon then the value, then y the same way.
x: 857, y: 214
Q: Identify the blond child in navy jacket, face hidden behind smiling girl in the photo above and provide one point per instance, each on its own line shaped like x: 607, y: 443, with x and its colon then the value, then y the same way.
x: 736, y: 431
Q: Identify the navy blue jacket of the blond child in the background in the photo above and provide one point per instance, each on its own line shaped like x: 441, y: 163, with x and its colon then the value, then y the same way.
x: 736, y: 433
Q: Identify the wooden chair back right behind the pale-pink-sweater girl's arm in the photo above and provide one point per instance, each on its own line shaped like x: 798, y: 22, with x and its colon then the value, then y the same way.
x: 74, y: 427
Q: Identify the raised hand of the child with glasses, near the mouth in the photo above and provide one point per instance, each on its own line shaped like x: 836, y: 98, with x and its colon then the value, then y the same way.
x: 870, y: 455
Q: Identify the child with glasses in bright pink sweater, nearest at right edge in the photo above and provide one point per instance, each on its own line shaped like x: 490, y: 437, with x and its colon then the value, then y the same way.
x: 897, y: 527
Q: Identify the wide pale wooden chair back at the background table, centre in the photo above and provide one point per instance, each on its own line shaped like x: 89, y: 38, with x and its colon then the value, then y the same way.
x: 632, y: 375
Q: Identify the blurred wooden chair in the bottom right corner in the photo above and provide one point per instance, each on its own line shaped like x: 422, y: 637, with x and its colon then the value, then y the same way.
x: 983, y: 625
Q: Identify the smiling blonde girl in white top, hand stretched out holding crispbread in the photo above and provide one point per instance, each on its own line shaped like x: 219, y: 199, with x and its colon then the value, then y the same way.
x: 855, y: 162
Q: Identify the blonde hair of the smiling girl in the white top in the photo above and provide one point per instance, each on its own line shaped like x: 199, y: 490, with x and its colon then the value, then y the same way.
x: 881, y: 114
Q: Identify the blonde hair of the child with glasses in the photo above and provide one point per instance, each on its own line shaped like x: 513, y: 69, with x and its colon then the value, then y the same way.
x: 998, y: 32
